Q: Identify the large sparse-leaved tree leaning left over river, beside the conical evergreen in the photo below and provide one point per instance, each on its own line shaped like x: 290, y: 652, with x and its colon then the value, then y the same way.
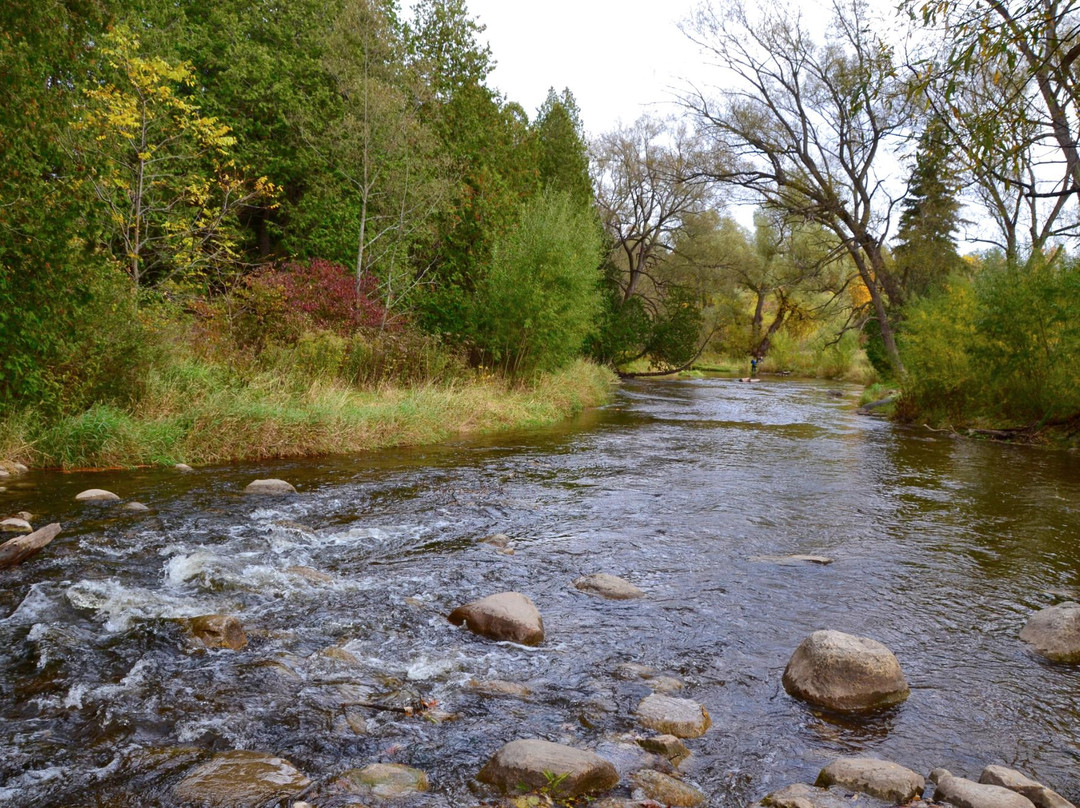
x: 807, y: 128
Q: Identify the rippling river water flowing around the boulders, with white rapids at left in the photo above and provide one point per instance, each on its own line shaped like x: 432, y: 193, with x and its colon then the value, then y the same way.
x: 942, y: 549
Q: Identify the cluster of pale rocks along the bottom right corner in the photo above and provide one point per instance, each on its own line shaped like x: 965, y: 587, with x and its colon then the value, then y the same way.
x: 890, y: 784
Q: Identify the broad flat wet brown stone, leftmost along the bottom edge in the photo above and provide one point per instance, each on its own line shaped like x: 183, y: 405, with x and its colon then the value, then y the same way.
x: 241, y: 778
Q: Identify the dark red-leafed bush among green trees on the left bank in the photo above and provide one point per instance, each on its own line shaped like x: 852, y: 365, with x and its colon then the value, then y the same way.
x: 325, y: 295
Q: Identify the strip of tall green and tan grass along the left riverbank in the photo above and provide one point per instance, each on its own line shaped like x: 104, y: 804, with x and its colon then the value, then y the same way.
x: 195, y: 418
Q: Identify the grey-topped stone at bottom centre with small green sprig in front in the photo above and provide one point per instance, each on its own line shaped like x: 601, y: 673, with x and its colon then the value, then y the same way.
x: 536, y: 764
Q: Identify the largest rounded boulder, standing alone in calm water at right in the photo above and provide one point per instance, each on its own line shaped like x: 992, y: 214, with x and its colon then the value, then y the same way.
x: 845, y: 672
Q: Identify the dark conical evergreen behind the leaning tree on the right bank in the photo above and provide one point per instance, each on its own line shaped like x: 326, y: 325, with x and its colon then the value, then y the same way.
x: 926, y: 252
